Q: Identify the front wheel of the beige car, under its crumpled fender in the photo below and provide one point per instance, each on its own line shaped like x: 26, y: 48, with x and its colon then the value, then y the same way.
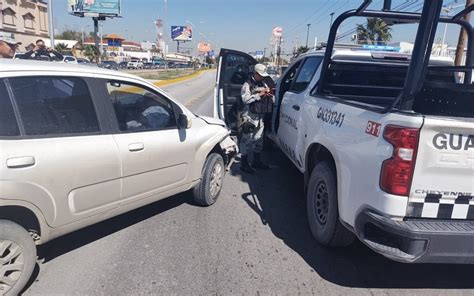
x: 213, y: 172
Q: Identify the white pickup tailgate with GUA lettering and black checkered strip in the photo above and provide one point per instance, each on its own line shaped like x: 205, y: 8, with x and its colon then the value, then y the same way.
x: 443, y: 181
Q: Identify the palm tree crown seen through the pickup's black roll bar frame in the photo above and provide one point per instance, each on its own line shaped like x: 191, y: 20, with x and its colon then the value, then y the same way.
x: 375, y: 32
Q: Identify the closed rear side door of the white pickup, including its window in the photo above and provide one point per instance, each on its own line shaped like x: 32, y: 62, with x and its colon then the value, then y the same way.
x: 292, y: 102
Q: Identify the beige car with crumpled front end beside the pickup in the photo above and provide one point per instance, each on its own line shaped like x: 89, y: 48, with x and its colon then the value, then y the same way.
x: 91, y: 145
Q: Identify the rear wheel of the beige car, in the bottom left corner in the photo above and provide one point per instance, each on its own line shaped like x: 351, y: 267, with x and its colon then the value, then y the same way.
x: 17, y: 258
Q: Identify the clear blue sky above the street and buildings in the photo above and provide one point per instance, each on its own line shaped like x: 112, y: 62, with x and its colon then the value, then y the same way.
x: 244, y: 25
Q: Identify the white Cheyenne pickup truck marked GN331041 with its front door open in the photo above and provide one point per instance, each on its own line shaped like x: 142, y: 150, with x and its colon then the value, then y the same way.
x: 401, y: 180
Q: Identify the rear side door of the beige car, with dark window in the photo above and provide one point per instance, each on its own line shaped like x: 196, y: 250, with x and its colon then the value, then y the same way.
x: 62, y: 159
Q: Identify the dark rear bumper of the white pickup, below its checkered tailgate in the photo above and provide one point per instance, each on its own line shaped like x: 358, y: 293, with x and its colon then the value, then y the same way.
x: 417, y: 241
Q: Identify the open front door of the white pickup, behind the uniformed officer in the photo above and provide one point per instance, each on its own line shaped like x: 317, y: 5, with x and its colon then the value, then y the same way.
x: 233, y: 71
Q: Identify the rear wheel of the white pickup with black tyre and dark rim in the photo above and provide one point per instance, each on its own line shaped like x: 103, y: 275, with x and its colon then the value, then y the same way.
x: 322, y: 207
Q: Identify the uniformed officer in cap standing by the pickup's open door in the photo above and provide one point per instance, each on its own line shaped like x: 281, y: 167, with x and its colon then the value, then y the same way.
x: 256, y: 97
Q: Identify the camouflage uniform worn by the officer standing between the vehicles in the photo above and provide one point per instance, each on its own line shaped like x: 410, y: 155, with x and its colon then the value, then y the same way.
x: 251, y: 142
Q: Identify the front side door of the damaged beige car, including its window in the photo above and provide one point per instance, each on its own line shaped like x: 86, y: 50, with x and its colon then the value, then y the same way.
x: 155, y: 154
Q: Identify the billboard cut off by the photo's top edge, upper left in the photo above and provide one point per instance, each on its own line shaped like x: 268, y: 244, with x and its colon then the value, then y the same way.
x: 94, y: 7
